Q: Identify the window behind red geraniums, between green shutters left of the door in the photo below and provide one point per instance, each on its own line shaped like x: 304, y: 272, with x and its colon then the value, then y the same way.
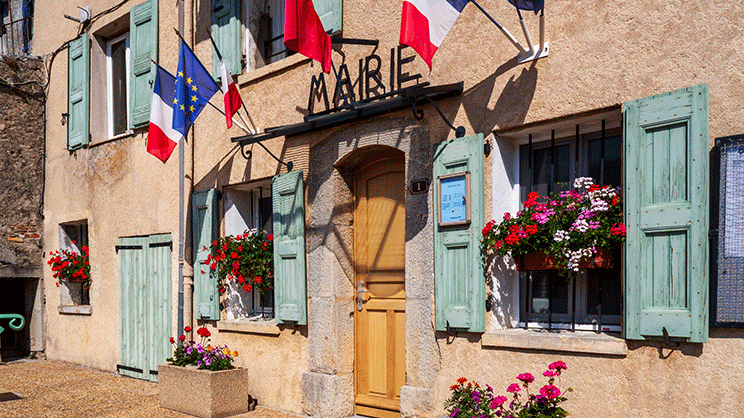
x: 248, y: 207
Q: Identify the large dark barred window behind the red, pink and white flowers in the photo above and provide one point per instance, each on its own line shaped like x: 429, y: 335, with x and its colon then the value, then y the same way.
x: 593, y: 299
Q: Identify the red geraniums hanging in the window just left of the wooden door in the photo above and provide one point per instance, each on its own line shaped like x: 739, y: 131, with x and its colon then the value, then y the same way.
x: 247, y: 259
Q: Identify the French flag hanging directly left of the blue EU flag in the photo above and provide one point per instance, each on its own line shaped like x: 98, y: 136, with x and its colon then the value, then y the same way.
x: 161, y: 137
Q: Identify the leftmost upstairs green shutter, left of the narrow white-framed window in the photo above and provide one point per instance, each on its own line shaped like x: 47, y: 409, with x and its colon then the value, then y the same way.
x: 78, y: 92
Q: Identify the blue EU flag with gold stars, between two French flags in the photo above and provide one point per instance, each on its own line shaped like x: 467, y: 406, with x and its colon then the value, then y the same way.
x: 194, y: 87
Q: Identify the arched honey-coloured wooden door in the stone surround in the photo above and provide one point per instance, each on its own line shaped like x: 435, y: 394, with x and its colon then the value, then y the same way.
x: 379, y: 251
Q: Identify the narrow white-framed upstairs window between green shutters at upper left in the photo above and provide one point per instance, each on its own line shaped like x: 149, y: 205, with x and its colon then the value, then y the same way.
x: 117, y: 81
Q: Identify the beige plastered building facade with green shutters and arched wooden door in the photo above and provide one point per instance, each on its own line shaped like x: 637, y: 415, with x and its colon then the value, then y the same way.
x: 313, y: 350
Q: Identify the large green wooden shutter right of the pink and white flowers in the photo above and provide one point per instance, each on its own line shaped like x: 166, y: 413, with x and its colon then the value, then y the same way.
x: 666, y: 206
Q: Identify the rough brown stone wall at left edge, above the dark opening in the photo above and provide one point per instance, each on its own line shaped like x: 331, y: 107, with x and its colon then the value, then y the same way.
x: 21, y: 162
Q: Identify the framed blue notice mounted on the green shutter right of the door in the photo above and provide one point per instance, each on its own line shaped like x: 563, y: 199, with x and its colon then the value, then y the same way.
x: 454, y: 199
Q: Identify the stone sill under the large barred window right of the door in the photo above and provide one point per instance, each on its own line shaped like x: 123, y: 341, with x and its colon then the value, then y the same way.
x: 572, y: 342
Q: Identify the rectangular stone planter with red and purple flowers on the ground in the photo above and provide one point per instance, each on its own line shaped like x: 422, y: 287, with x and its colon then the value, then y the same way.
x: 199, y: 367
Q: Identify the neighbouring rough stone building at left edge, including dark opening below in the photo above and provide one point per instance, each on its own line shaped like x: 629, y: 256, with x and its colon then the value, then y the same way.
x: 21, y: 221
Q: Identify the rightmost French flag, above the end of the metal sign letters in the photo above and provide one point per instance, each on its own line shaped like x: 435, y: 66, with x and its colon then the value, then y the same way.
x: 425, y: 23
